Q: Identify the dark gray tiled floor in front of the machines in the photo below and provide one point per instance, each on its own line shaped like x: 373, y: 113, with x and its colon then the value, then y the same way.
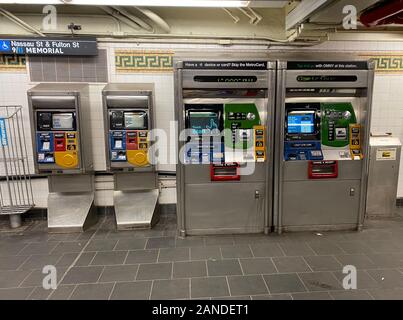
x: 105, y: 264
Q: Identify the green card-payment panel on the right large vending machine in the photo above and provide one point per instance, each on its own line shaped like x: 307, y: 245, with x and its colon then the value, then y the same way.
x: 336, y: 118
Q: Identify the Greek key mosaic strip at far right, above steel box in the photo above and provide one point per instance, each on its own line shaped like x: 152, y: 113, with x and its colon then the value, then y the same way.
x: 386, y: 63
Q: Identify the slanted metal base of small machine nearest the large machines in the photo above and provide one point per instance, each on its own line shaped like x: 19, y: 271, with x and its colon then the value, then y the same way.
x: 136, y: 209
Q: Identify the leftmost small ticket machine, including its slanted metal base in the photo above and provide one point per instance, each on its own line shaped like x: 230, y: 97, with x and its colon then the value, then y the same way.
x: 61, y: 139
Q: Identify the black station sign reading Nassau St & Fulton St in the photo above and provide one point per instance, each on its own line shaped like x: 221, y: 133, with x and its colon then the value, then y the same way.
x: 50, y: 46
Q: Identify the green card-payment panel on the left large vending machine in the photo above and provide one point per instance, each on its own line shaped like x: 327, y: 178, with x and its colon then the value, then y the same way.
x: 240, y: 118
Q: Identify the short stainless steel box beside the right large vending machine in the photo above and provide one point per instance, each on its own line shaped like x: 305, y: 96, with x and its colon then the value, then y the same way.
x: 383, y: 176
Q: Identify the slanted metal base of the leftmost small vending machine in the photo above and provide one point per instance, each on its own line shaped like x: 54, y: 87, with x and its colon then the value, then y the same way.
x: 70, y: 212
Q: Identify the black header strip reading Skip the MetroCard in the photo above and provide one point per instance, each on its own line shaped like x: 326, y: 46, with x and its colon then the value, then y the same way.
x: 226, y: 65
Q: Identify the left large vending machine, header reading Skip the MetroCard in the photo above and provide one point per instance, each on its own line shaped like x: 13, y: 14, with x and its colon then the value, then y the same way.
x: 225, y: 119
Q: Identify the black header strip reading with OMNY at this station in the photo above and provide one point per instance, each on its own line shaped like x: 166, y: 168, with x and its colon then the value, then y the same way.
x: 327, y: 65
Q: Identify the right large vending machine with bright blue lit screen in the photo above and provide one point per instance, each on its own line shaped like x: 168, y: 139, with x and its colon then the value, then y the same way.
x: 323, y: 142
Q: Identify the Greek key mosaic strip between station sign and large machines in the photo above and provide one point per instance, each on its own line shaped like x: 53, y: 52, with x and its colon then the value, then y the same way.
x: 133, y: 61
